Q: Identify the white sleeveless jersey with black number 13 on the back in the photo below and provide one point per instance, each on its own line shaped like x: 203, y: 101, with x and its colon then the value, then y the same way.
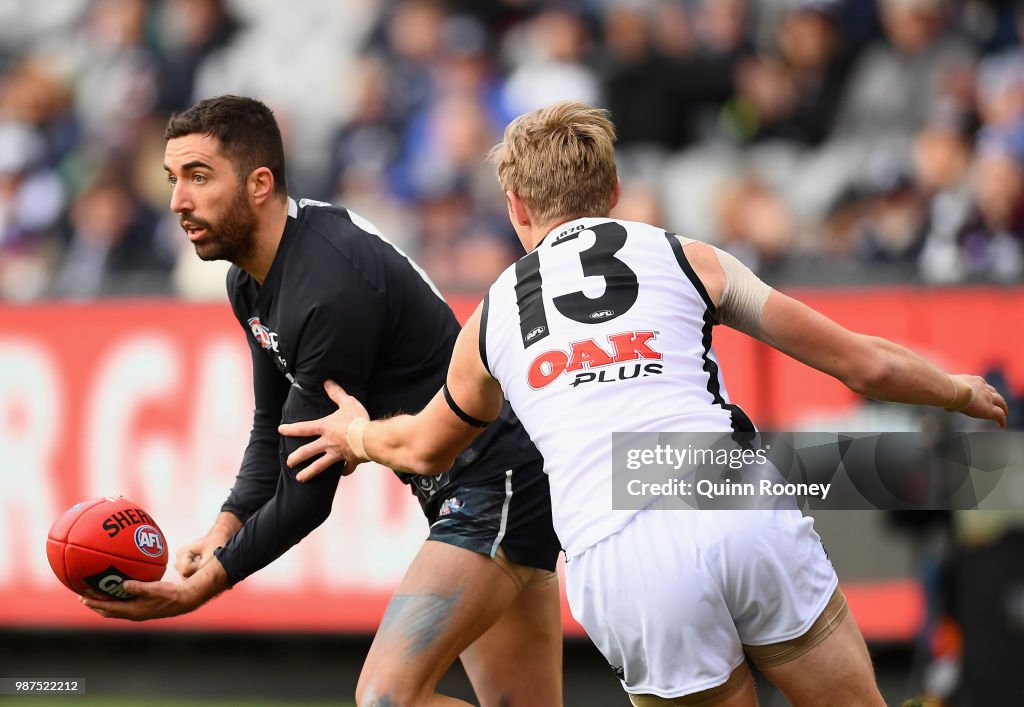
x: 604, y: 328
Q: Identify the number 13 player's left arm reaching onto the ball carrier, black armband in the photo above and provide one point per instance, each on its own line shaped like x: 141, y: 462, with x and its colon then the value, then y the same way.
x: 426, y: 443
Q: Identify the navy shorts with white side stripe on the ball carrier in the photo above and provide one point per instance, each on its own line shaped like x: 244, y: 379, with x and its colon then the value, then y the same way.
x: 513, y: 513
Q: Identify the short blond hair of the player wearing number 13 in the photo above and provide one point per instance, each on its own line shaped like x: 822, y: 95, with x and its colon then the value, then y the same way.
x: 561, y: 161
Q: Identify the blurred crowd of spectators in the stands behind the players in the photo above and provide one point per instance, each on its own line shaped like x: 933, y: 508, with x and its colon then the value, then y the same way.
x: 820, y: 141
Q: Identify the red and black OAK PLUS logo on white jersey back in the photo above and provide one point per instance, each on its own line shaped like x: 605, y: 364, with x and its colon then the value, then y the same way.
x: 622, y: 359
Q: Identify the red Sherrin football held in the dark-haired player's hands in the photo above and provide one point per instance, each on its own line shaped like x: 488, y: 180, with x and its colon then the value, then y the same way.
x: 97, y: 546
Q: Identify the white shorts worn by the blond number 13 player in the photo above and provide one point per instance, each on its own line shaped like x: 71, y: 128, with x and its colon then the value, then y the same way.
x: 671, y: 600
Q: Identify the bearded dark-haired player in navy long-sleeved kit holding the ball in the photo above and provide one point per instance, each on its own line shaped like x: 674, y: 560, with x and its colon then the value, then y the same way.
x: 321, y: 296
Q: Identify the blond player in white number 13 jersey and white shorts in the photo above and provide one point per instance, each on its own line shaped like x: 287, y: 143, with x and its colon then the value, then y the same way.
x: 606, y: 326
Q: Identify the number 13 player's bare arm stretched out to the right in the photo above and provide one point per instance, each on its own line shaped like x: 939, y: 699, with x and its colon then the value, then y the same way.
x: 870, y: 366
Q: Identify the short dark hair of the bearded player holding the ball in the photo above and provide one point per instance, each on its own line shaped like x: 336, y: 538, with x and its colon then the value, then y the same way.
x: 246, y: 130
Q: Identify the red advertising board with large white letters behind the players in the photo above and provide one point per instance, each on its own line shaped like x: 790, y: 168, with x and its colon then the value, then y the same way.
x: 152, y: 400
